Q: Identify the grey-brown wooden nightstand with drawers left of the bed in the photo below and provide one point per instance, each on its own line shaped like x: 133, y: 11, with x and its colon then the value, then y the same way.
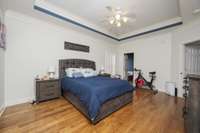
x: 47, y: 89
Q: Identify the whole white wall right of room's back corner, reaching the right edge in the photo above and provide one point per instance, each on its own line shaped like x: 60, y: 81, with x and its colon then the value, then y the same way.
x: 162, y: 51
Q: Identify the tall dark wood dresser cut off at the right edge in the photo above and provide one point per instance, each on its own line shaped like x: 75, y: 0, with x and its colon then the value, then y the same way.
x: 192, y: 104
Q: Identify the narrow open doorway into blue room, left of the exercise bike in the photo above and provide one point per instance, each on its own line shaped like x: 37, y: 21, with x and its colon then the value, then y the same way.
x: 129, y: 67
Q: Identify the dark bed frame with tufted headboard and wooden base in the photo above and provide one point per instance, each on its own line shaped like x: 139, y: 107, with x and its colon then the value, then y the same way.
x: 108, y: 107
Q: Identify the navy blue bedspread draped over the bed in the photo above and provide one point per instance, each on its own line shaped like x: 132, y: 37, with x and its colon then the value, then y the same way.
x: 94, y: 91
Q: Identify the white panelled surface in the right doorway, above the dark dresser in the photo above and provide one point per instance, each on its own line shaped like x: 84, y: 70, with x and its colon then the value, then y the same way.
x: 192, y: 60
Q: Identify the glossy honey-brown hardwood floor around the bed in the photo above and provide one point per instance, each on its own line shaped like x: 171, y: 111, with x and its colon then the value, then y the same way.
x: 147, y: 114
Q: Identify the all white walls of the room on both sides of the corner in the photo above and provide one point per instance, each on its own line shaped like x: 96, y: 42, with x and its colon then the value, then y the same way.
x: 34, y: 45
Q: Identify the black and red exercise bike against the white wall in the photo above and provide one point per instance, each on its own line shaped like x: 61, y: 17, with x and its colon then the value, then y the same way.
x: 142, y: 82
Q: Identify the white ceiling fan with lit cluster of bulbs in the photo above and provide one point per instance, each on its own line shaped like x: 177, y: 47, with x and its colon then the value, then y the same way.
x: 118, y: 17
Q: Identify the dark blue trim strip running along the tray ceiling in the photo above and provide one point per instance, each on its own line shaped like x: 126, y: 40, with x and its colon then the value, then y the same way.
x: 56, y: 15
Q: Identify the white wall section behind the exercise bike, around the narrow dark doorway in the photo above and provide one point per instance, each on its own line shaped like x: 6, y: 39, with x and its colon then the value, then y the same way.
x: 151, y: 53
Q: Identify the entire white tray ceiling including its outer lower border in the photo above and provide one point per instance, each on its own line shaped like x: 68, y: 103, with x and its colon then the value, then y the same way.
x: 149, y: 13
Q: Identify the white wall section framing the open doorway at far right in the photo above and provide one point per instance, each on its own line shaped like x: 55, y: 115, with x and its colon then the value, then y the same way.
x: 184, y: 34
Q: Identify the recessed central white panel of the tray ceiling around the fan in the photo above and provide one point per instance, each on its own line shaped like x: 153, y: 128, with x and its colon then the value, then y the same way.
x: 147, y: 12
